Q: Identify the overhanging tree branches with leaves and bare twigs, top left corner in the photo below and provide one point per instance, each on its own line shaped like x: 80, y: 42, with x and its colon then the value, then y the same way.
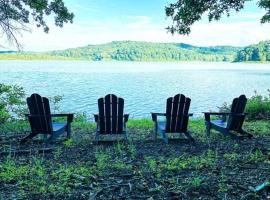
x: 16, y: 14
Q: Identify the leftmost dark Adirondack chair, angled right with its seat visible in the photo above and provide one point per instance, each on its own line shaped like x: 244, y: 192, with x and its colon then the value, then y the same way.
x: 40, y: 119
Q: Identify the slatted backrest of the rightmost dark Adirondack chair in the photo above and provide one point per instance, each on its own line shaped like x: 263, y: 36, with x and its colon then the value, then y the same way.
x: 235, y: 122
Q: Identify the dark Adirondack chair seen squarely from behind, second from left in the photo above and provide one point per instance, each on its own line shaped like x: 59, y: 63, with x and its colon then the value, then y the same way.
x: 111, y: 119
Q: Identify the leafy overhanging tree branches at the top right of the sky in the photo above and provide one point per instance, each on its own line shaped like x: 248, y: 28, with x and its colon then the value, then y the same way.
x: 184, y: 13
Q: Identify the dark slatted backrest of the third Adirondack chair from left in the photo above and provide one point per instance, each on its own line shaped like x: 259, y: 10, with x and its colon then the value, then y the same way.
x: 177, y: 113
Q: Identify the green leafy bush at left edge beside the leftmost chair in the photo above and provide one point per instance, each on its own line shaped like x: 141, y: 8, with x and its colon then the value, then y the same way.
x: 11, y: 102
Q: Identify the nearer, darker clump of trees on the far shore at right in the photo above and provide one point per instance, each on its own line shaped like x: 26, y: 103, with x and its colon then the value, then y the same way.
x: 259, y: 52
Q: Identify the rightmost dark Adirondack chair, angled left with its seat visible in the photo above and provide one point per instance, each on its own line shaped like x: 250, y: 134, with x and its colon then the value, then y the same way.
x: 231, y: 121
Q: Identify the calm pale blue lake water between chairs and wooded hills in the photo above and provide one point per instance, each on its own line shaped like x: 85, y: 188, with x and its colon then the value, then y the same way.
x: 144, y: 86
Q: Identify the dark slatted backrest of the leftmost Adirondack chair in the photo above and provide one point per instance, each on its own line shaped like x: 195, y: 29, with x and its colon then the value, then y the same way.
x: 40, y: 119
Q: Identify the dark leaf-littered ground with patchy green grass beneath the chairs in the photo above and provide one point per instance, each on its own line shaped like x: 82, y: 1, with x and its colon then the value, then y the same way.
x: 210, y: 168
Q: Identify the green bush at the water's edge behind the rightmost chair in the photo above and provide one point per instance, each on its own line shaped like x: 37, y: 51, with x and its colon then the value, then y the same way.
x: 258, y: 107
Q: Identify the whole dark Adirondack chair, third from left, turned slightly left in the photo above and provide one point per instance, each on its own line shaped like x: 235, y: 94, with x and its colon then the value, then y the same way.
x: 176, y: 118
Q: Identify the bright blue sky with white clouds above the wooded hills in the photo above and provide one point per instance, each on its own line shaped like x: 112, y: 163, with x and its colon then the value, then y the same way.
x: 103, y: 21
